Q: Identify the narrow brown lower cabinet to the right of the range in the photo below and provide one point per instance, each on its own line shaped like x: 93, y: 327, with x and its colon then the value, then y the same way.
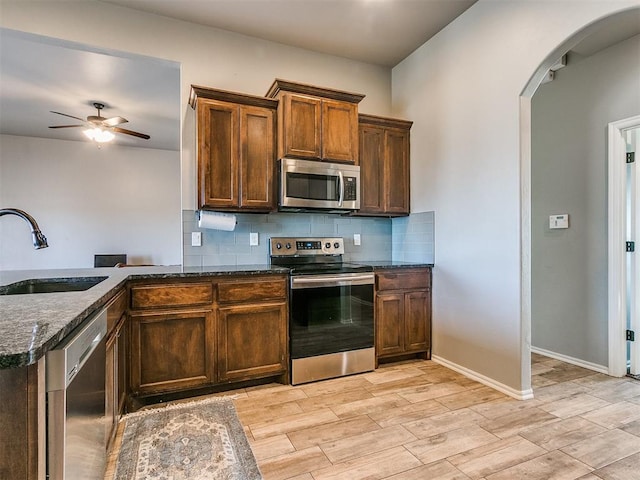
x: 403, y: 313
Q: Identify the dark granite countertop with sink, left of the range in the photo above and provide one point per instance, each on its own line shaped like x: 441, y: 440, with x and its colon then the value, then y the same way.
x: 32, y: 324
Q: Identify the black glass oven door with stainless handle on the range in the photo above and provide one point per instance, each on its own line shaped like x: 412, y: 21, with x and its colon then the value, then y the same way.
x: 331, y: 313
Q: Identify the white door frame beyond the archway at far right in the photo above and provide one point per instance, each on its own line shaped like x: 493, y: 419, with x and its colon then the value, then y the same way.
x: 617, y: 211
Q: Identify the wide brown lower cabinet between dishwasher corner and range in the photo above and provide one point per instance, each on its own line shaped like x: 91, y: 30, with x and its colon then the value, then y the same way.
x: 187, y: 335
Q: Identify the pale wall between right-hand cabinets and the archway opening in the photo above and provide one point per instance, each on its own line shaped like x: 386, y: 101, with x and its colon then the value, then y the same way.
x: 462, y: 89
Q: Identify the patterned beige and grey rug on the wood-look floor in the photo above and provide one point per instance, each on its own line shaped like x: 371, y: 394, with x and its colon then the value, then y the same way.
x: 201, y: 440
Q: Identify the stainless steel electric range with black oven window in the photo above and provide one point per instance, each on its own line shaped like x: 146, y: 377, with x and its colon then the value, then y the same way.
x: 330, y: 310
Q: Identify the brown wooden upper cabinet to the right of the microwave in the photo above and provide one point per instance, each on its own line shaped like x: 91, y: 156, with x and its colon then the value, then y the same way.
x: 384, y: 166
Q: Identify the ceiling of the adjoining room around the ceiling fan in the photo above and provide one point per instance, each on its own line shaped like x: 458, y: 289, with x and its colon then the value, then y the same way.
x: 39, y: 75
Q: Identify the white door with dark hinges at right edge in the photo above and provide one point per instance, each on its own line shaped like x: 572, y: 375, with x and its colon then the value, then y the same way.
x: 632, y: 137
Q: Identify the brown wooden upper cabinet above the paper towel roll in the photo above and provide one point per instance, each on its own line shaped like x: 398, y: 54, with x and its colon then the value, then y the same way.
x: 236, y: 150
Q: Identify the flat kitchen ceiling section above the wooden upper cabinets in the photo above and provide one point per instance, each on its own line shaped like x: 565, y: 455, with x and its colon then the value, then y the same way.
x: 381, y: 32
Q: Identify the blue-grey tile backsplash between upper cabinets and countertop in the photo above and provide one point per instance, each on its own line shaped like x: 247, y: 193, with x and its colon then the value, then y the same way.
x: 382, y: 239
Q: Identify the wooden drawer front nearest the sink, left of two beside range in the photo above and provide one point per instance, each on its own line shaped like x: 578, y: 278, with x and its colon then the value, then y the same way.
x: 171, y: 296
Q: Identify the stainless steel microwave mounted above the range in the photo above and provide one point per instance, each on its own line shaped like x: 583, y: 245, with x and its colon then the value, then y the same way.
x: 315, y: 185
